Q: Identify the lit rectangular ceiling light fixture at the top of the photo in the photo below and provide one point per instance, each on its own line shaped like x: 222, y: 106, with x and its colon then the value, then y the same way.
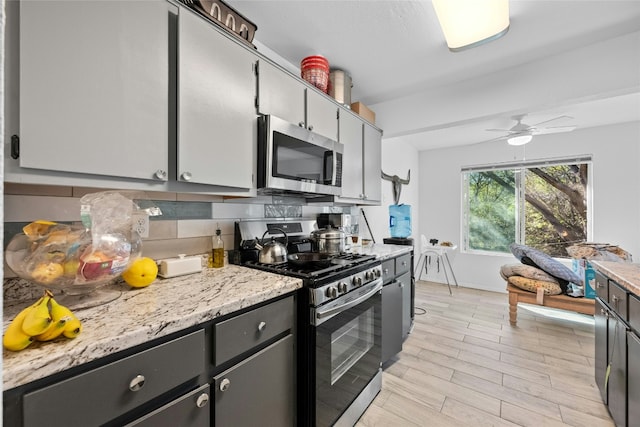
x: 469, y: 23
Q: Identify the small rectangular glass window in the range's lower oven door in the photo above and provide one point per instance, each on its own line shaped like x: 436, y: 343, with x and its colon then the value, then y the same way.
x: 350, y: 343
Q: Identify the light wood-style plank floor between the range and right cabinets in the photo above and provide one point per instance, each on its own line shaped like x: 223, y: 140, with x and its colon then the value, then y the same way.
x: 464, y: 365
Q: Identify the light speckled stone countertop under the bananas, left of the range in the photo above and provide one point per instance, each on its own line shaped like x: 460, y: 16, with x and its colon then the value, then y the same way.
x: 141, y: 315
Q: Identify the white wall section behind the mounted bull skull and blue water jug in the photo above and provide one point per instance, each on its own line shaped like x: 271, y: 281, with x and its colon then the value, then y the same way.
x: 397, y: 159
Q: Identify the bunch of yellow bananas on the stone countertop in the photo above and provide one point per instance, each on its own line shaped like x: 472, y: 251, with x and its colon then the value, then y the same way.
x: 43, y: 321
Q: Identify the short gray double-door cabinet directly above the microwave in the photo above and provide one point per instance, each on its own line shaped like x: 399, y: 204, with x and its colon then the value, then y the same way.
x: 282, y: 95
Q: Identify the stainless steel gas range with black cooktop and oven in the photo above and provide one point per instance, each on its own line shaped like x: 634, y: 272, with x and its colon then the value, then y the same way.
x: 339, y: 325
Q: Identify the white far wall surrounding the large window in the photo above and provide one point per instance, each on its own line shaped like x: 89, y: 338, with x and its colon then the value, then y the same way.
x: 616, y: 192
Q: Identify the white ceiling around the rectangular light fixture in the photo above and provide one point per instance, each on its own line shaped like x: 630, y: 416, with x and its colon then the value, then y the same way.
x: 400, y: 66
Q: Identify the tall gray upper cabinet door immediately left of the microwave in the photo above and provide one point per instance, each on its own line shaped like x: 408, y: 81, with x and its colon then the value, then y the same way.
x: 217, y: 121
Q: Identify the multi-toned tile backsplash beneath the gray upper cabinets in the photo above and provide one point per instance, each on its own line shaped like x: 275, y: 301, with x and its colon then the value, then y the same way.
x: 186, y: 226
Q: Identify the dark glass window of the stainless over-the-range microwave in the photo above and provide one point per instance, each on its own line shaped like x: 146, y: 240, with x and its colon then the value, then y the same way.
x: 301, y: 161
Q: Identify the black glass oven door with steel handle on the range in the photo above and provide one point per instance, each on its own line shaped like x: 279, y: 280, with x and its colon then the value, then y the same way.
x: 347, y: 351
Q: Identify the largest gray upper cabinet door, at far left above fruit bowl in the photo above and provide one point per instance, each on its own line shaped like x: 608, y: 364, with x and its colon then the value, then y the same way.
x: 94, y: 87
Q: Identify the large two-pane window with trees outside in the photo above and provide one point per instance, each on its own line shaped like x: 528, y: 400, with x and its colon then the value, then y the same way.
x: 542, y: 204
